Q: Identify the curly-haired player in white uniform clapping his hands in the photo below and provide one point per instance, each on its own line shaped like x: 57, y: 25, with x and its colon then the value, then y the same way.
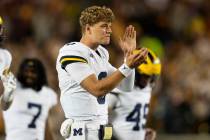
x: 86, y: 76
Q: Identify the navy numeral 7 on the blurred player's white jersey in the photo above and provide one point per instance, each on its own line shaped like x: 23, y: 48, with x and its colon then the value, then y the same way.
x: 38, y: 107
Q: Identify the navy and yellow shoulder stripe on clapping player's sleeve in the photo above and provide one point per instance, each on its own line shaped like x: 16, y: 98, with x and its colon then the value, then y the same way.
x: 68, y: 59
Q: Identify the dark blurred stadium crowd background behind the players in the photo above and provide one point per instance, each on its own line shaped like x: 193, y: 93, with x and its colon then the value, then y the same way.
x: 177, y: 30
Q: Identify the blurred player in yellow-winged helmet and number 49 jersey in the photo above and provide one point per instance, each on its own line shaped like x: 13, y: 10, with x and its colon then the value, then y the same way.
x: 128, y: 110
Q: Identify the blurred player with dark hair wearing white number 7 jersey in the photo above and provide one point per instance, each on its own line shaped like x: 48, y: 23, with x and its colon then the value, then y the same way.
x: 27, y: 116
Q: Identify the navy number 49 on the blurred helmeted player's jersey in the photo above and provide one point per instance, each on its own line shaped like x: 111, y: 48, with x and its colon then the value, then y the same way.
x: 135, y: 116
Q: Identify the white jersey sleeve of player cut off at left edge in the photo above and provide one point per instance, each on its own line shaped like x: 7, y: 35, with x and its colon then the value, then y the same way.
x: 5, y: 60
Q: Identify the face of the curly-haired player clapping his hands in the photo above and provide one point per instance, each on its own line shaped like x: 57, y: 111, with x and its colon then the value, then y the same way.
x: 101, y: 32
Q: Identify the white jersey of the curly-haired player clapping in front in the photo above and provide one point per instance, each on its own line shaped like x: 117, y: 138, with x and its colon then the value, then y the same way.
x: 76, y: 62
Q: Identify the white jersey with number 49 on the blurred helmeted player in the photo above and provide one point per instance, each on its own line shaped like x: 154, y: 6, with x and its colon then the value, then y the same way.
x: 129, y: 112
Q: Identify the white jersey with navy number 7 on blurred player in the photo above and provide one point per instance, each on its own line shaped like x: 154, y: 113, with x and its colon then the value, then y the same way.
x: 27, y: 115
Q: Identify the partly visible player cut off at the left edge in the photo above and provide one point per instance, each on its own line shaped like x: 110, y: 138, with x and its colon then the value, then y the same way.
x: 7, y: 79
